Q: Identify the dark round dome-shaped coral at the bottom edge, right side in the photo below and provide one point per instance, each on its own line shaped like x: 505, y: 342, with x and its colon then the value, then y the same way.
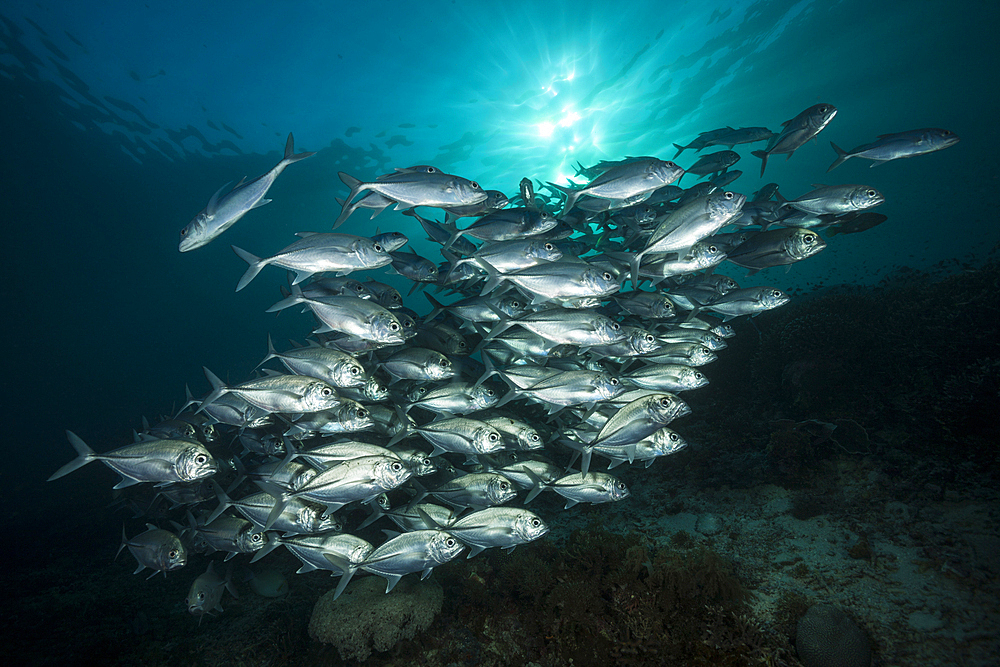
x: 827, y: 637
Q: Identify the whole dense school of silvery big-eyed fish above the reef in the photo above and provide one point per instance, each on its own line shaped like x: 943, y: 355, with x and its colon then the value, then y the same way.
x: 583, y: 312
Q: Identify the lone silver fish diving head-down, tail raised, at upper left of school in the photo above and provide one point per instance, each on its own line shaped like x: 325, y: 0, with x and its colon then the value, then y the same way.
x: 222, y: 212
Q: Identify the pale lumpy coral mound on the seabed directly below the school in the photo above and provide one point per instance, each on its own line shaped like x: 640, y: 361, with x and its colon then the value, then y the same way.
x: 365, y: 618
